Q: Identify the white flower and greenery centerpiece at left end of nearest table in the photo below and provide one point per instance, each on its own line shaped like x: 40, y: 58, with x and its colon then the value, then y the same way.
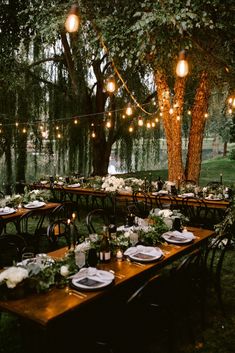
x: 36, y: 276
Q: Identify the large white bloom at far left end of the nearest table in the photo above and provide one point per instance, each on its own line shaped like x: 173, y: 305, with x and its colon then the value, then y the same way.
x: 13, y: 275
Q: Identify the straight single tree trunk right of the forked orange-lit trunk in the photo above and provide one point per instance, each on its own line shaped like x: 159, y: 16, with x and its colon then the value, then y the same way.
x: 200, y: 107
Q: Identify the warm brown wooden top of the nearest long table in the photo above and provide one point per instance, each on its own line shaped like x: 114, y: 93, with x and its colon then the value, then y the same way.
x: 45, y: 308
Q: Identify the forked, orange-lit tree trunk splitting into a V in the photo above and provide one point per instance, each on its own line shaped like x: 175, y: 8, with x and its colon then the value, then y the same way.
x: 172, y: 125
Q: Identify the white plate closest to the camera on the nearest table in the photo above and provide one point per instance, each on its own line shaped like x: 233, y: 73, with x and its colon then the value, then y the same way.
x: 93, y: 282
